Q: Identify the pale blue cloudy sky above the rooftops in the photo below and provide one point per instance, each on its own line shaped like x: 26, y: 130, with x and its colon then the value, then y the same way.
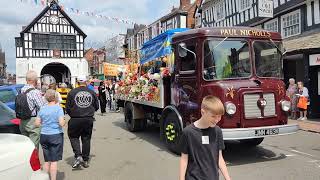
x: 15, y: 14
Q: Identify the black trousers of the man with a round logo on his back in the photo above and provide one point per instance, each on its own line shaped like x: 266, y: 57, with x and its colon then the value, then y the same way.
x: 80, y: 128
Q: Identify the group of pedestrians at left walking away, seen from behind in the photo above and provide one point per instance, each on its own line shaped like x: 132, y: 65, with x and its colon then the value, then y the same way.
x: 44, y: 119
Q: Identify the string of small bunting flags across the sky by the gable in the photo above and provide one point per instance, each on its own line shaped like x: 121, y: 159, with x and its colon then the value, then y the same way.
x: 79, y: 12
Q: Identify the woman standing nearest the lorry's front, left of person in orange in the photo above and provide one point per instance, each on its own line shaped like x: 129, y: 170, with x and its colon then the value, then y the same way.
x: 291, y: 93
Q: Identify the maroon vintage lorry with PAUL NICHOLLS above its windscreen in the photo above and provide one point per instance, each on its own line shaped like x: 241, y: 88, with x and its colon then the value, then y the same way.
x: 240, y: 65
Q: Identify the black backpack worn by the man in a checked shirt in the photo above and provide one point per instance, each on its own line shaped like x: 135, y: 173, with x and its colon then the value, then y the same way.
x: 22, y: 107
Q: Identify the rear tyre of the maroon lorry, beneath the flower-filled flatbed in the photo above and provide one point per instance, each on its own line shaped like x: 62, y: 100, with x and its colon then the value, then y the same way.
x: 133, y: 124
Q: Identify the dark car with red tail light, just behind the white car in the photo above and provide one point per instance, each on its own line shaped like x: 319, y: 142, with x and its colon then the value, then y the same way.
x: 8, y: 121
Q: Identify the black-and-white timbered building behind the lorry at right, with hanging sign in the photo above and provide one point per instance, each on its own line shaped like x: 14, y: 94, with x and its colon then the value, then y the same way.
x: 298, y: 21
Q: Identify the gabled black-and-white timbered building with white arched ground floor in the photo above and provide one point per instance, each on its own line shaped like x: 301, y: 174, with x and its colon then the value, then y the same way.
x: 51, y: 44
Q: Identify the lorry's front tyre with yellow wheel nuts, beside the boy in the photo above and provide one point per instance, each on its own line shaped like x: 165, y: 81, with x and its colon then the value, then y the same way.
x: 171, y: 132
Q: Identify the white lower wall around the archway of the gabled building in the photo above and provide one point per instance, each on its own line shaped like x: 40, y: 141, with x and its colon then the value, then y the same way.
x: 76, y: 66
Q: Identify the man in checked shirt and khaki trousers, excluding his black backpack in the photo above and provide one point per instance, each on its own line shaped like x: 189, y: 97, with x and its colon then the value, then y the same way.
x: 35, y: 102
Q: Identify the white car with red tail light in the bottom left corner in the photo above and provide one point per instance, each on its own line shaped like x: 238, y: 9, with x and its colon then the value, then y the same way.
x: 19, y: 159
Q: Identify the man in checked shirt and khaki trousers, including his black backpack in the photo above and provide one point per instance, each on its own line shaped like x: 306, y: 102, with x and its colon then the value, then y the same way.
x: 28, y: 114
